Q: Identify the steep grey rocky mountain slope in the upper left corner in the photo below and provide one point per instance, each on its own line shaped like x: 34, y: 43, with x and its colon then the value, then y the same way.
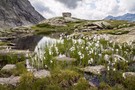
x: 17, y: 13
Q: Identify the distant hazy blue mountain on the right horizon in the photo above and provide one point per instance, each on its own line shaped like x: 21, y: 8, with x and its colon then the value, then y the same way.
x: 128, y: 17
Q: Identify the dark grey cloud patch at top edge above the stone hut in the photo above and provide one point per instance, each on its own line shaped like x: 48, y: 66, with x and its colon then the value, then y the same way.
x: 69, y: 3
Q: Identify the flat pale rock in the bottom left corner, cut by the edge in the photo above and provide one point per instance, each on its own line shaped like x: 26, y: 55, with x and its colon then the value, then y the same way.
x: 10, y: 80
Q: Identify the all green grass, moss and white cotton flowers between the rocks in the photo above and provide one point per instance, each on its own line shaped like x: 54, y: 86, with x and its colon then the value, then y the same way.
x: 90, y: 50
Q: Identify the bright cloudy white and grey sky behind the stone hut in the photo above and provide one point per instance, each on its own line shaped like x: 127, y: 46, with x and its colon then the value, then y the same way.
x: 84, y: 9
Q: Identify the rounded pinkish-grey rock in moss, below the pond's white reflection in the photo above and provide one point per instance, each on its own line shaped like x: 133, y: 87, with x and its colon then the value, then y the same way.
x: 41, y: 73
